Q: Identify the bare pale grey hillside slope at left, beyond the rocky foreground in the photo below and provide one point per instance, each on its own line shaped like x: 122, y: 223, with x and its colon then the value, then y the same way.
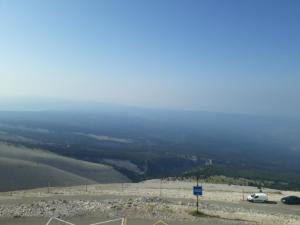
x: 23, y: 168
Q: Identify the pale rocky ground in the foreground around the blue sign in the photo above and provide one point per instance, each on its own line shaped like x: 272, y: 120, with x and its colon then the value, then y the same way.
x: 169, y: 200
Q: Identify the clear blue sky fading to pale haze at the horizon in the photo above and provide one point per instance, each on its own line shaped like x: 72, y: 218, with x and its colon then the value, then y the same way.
x: 221, y: 56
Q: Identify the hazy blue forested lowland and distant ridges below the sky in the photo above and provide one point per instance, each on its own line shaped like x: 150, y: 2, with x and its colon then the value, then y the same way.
x: 147, y: 143
